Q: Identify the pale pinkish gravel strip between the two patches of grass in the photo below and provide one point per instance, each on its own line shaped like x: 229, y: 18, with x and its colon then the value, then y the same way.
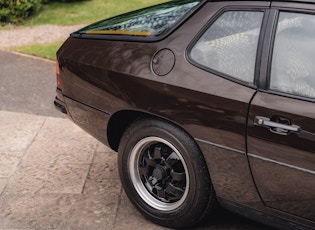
x: 37, y: 34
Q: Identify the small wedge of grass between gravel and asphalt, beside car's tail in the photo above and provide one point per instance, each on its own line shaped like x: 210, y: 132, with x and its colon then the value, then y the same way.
x: 40, y: 50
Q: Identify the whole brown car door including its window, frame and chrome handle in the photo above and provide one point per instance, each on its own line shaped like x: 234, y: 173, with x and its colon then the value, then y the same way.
x: 281, y: 125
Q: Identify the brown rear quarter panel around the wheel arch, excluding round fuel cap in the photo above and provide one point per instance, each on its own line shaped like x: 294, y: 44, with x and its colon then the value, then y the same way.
x: 102, y: 77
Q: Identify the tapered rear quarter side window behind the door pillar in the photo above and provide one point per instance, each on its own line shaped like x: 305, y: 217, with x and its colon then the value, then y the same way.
x: 229, y: 46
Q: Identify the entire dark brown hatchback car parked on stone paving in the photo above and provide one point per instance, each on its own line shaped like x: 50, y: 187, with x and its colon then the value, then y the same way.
x: 206, y: 102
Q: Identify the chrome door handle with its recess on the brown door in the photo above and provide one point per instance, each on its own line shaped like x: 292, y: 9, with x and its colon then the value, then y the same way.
x: 276, y: 127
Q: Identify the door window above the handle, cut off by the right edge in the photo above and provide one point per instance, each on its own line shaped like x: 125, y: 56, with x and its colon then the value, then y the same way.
x: 293, y: 60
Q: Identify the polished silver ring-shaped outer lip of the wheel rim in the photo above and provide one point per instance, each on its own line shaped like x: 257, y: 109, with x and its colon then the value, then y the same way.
x: 133, y: 168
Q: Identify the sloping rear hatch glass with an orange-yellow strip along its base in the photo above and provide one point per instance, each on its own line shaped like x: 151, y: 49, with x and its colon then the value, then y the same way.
x: 154, y: 21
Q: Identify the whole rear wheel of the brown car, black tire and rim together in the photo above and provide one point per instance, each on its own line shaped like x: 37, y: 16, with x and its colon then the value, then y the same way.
x: 164, y: 174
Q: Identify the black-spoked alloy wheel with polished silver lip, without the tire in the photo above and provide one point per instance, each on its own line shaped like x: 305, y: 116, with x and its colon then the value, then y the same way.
x: 158, y: 173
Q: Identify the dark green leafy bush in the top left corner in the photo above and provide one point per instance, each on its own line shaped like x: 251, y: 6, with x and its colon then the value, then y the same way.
x: 14, y: 11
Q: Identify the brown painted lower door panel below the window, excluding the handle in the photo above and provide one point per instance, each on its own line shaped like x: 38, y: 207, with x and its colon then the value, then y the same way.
x: 291, y: 157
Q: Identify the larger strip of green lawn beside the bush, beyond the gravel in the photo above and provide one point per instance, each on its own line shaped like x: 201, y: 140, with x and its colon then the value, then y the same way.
x: 82, y: 12
